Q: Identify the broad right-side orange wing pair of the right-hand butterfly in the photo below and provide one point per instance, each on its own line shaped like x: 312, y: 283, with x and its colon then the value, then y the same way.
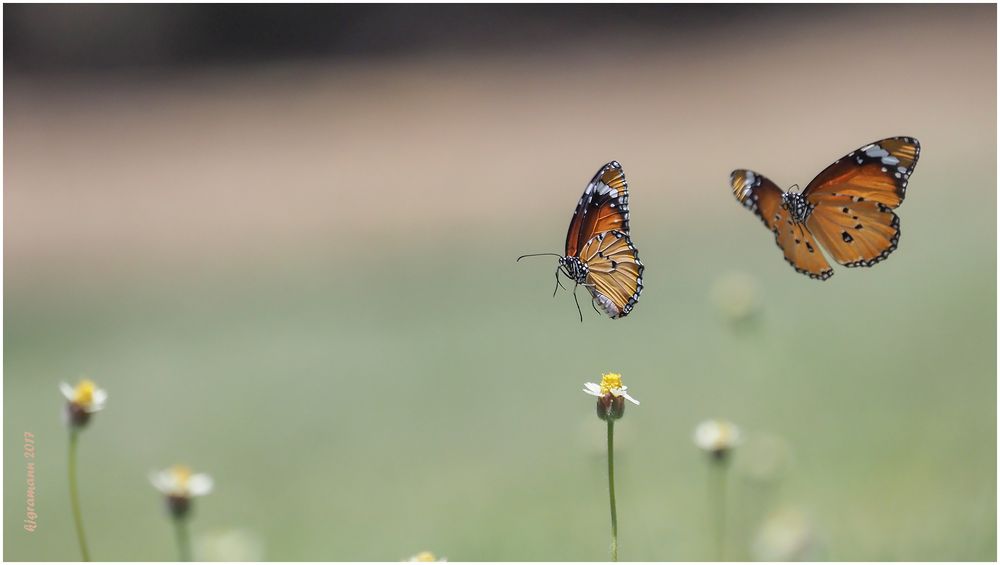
x: 853, y: 200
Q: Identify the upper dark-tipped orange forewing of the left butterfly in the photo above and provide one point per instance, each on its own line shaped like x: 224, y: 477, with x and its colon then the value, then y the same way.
x: 603, y: 207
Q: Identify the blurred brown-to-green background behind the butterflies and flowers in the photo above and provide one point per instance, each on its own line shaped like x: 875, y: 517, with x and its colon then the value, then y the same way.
x: 297, y: 274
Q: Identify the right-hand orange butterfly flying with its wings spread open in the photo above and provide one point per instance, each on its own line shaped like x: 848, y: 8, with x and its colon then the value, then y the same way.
x: 846, y: 209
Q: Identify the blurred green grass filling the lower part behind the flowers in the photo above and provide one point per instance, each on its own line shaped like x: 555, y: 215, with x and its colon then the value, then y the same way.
x: 435, y: 403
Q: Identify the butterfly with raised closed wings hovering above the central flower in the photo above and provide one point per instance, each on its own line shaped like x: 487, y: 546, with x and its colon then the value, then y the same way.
x: 599, y: 254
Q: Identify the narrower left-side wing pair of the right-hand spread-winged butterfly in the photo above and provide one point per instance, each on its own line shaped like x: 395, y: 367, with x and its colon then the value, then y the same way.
x: 762, y: 197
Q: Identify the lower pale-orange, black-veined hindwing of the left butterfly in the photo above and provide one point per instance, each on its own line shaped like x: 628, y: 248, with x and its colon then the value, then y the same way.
x: 614, y: 272
